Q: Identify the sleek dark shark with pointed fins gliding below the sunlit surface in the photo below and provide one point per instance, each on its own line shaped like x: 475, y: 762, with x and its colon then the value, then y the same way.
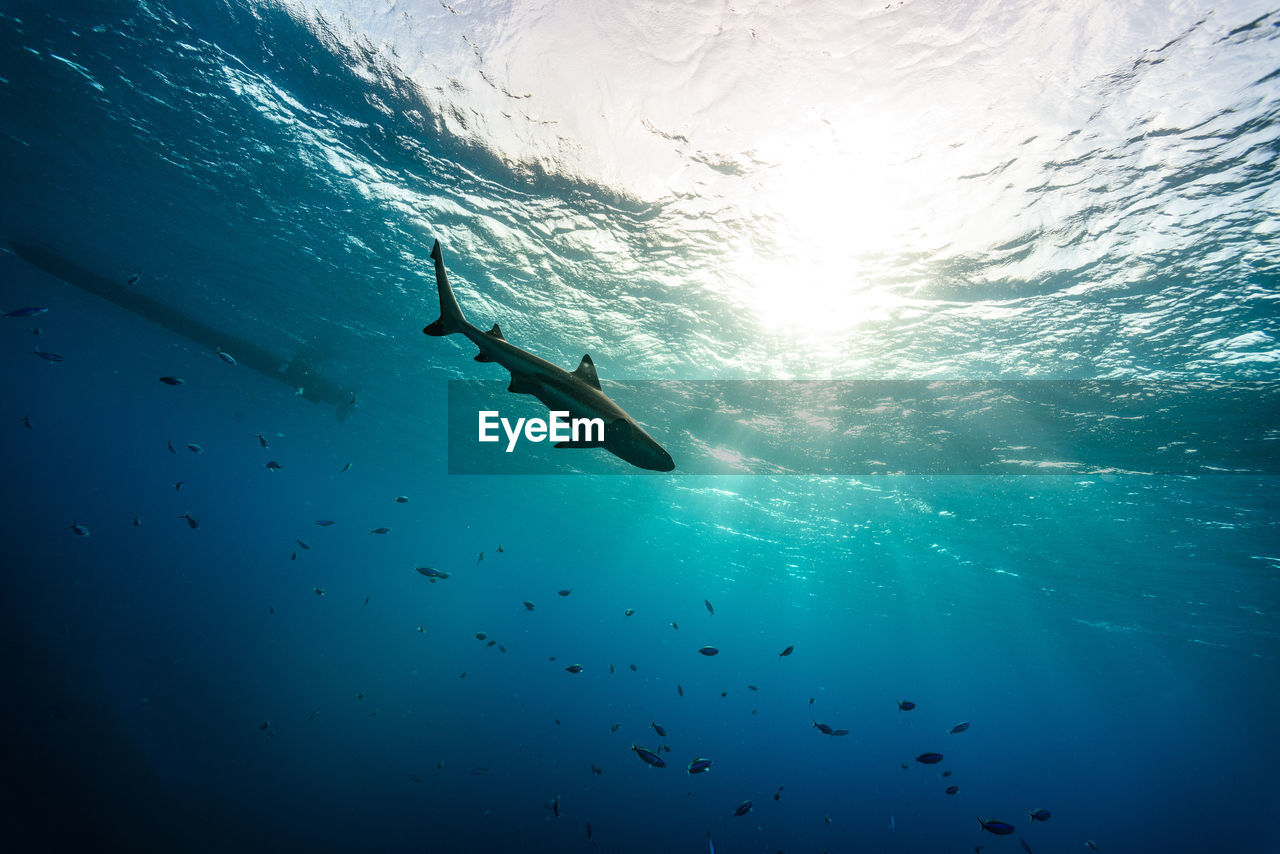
x: 577, y: 392
